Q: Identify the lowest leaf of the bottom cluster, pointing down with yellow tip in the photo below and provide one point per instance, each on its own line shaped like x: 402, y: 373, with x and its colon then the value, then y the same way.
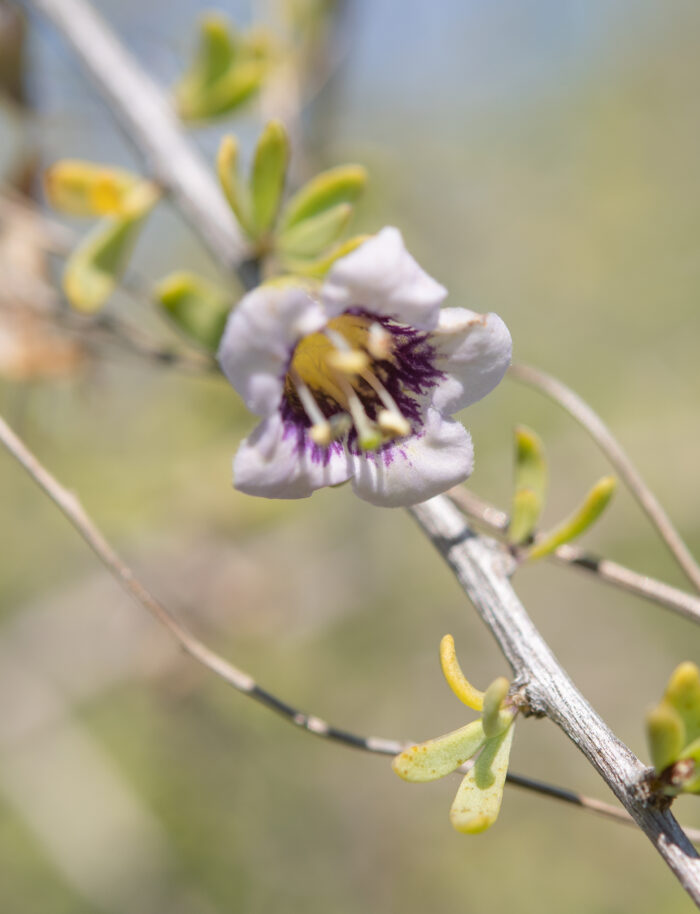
x: 478, y: 800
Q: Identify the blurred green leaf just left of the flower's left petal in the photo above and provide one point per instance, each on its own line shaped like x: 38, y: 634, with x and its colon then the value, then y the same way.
x: 199, y: 308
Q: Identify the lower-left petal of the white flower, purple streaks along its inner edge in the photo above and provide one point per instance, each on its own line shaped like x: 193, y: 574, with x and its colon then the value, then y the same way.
x: 278, y: 461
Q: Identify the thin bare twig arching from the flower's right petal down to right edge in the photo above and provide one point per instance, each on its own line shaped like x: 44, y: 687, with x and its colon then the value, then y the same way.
x: 600, y: 433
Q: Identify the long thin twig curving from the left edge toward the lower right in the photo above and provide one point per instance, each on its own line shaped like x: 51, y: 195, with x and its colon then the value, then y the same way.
x: 72, y: 509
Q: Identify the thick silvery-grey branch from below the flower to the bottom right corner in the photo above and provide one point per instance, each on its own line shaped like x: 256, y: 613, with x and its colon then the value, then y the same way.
x: 482, y: 568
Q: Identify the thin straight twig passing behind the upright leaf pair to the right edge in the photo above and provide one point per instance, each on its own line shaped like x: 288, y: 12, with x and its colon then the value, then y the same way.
x: 496, y: 522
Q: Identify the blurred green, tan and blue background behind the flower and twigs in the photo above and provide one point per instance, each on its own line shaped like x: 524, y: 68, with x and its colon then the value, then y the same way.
x: 542, y: 161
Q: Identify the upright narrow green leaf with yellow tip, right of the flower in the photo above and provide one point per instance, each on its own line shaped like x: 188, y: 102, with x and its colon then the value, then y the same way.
x: 530, y: 485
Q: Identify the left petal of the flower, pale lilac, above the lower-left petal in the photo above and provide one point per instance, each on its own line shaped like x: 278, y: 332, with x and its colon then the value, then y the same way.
x: 259, y: 338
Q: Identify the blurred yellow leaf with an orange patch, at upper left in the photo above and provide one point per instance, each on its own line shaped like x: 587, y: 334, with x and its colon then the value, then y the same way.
x: 82, y: 188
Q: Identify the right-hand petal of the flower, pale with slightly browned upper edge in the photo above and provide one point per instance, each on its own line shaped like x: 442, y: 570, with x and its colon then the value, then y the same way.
x: 474, y: 351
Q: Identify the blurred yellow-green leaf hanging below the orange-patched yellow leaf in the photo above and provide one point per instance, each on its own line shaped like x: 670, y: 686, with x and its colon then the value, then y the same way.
x: 92, y: 270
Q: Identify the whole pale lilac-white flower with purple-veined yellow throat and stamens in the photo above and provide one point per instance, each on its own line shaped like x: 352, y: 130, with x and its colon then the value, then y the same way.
x: 358, y: 381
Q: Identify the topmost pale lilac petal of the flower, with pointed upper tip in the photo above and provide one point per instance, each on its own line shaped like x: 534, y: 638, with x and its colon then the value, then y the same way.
x: 382, y: 277
